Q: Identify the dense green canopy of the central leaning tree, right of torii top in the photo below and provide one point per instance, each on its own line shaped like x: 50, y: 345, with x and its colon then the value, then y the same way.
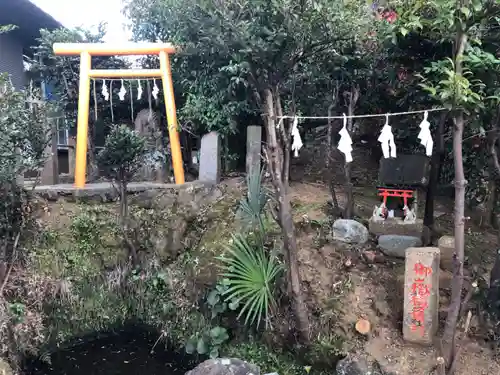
x: 232, y: 50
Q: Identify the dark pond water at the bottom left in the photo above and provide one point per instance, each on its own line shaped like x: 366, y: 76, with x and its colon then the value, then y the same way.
x: 128, y: 351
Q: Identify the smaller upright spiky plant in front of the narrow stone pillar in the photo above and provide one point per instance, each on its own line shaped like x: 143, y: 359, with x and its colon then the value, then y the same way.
x: 252, y: 207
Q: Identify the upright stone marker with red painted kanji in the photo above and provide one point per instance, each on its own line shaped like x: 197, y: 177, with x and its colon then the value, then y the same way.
x: 421, y: 298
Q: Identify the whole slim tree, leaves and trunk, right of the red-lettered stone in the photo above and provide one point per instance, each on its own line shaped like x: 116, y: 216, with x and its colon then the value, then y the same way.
x: 455, y: 83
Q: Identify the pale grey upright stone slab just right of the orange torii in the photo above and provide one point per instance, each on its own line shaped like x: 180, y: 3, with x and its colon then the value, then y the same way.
x: 210, y: 163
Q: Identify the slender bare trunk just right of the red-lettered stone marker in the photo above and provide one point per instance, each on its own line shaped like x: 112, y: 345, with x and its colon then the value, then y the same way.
x: 459, y: 219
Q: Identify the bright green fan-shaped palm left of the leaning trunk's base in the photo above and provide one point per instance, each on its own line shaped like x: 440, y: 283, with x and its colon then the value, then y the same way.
x: 250, y: 273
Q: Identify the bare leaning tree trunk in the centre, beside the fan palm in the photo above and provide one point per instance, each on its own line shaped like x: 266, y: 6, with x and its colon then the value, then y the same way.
x: 275, y: 166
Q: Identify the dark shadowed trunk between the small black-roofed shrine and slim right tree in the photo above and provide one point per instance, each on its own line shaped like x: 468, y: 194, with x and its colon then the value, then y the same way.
x: 436, y: 163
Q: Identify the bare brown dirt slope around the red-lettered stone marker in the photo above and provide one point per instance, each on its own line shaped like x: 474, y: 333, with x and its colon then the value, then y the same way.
x: 344, y: 294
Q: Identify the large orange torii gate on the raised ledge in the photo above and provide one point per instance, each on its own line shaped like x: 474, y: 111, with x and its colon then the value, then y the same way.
x: 86, y: 51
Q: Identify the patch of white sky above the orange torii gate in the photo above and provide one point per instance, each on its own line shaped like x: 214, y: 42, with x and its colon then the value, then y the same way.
x: 88, y: 13
